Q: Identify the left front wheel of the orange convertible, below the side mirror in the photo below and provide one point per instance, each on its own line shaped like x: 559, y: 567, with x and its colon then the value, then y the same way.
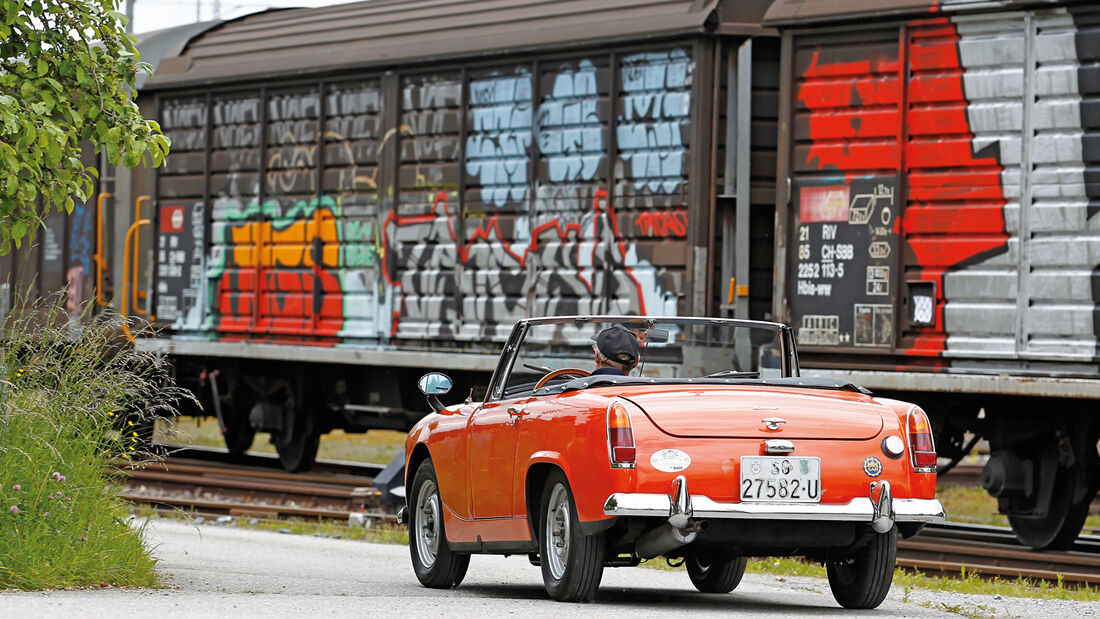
x: 437, y: 567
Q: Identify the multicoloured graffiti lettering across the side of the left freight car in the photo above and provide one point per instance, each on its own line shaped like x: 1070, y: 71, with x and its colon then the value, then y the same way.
x: 537, y: 233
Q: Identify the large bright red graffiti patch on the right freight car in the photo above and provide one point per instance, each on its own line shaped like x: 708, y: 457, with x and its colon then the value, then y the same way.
x: 954, y: 203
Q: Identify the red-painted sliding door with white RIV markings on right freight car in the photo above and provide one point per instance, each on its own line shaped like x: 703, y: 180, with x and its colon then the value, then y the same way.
x: 906, y: 189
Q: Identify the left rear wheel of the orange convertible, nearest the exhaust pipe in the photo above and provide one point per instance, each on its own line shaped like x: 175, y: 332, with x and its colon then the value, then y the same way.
x: 571, y: 574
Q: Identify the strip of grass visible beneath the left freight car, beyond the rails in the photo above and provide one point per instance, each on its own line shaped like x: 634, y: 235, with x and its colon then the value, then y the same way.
x: 377, y: 447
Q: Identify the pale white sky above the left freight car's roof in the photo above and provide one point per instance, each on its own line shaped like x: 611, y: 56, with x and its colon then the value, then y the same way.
x: 158, y: 15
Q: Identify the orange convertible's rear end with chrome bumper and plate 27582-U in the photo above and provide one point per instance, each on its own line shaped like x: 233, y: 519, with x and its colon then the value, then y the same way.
x: 763, y: 471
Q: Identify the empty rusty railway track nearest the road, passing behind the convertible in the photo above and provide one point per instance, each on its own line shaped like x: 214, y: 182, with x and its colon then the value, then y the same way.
x: 200, y: 483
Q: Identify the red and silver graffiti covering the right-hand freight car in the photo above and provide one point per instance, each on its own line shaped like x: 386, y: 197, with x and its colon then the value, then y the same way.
x: 992, y: 220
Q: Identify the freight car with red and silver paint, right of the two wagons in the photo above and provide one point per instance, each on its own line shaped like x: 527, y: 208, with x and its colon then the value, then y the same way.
x: 939, y: 183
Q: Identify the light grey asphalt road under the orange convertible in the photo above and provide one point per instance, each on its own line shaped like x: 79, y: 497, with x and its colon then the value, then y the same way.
x: 218, y: 571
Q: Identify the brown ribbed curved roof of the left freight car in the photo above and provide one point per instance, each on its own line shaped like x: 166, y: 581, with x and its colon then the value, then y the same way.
x: 388, y: 32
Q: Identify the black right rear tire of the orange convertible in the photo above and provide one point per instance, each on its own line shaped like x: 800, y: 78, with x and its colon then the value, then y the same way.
x: 863, y: 580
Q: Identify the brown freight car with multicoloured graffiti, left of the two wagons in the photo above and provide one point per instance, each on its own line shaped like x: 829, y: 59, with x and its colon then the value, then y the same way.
x: 359, y: 193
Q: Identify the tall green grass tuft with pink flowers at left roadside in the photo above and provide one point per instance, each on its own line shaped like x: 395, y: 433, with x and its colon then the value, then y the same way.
x: 74, y: 397
